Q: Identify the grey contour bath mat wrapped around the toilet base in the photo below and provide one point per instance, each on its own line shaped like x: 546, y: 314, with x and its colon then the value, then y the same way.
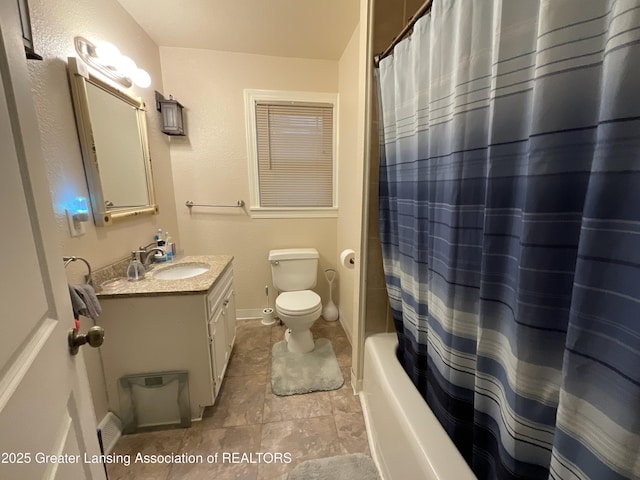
x: 293, y: 373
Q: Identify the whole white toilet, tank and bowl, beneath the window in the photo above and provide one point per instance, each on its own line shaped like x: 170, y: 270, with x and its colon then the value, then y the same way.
x: 294, y: 272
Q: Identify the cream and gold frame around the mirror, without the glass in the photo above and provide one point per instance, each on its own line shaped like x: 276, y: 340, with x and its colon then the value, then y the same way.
x: 79, y: 76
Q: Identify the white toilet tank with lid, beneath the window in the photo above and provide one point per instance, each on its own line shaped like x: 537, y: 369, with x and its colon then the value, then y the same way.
x: 294, y: 268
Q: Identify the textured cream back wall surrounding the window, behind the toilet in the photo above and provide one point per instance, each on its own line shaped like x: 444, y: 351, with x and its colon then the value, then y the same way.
x: 210, y: 165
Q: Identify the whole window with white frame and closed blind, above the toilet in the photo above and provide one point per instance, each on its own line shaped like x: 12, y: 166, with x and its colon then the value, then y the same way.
x: 291, y: 153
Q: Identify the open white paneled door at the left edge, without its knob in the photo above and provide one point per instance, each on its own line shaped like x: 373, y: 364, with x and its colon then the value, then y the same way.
x: 45, y: 403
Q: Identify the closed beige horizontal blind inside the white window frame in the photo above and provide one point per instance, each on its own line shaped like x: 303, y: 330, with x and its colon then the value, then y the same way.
x: 295, y: 154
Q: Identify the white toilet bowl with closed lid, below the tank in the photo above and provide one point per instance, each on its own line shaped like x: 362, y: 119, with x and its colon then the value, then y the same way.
x: 299, y: 310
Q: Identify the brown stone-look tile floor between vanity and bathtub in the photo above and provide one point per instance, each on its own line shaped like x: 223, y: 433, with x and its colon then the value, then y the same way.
x: 248, y: 418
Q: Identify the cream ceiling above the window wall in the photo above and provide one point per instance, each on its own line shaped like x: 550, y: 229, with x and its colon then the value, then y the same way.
x: 318, y: 29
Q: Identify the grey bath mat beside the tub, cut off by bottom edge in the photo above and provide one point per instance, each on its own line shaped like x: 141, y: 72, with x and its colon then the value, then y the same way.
x: 344, y: 467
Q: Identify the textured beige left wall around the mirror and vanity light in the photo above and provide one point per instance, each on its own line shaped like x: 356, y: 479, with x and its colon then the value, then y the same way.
x: 55, y: 24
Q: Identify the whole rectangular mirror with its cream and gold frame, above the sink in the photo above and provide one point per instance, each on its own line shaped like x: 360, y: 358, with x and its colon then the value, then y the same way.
x: 112, y: 128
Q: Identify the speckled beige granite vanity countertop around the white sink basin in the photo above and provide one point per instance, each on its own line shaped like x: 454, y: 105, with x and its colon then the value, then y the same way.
x: 120, y: 287
